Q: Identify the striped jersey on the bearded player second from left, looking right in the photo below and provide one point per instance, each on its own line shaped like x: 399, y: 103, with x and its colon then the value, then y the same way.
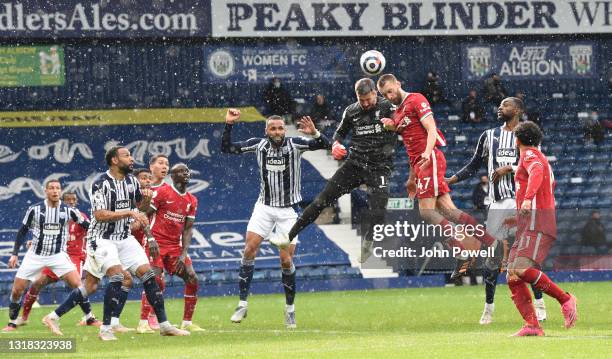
x: 108, y: 193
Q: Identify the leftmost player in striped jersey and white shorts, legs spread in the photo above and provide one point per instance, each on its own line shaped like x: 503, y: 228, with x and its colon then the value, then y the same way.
x: 49, y: 222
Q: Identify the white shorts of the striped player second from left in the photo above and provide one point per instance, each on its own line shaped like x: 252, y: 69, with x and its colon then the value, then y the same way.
x: 127, y: 252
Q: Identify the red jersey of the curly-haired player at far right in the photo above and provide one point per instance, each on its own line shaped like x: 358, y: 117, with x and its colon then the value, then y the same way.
x: 535, y: 181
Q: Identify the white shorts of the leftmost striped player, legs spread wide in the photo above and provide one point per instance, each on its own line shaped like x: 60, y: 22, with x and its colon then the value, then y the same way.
x: 33, y: 264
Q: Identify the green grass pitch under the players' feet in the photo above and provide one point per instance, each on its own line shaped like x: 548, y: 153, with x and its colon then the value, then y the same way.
x: 395, y: 323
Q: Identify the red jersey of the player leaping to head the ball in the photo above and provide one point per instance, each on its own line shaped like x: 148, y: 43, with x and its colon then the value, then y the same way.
x: 407, y: 117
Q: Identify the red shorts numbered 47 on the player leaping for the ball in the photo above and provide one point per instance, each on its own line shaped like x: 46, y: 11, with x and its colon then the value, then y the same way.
x: 430, y: 180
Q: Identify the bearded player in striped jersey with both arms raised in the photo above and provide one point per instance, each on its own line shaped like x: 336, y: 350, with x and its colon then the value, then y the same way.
x: 279, y: 160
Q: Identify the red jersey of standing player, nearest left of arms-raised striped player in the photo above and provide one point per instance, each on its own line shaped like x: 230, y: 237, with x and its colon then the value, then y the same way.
x: 172, y: 210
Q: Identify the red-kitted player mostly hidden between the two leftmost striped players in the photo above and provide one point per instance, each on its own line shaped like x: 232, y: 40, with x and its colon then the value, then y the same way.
x: 75, y: 247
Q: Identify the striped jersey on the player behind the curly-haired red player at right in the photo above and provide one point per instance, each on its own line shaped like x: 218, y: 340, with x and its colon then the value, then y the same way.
x: 496, y: 147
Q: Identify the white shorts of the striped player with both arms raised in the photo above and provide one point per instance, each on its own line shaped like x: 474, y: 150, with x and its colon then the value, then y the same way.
x: 265, y: 218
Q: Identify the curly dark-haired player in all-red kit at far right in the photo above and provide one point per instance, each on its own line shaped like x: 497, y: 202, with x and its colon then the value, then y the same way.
x: 536, y: 232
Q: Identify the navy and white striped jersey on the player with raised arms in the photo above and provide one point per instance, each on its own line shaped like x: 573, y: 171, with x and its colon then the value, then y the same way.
x: 279, y: 167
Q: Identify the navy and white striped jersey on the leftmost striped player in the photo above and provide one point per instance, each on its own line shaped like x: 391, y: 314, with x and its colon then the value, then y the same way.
x: 49, y: 226
